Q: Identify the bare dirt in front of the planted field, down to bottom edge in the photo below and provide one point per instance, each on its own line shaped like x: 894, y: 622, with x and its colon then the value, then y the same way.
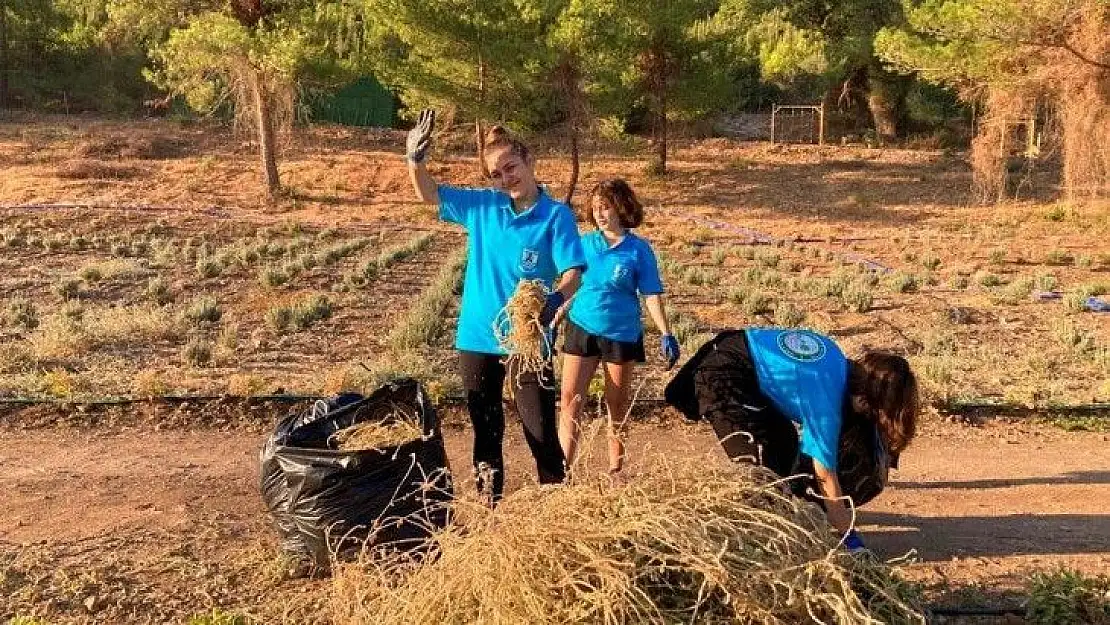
x: 132, y: 525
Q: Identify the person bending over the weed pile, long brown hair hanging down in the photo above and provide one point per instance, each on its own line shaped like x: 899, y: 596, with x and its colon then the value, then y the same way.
x: 755, y: 386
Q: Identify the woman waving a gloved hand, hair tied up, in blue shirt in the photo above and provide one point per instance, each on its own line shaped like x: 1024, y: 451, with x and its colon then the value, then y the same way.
x: 517, y: 231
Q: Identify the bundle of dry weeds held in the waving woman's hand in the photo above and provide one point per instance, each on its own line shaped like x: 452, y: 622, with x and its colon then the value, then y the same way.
x: 524, y: 339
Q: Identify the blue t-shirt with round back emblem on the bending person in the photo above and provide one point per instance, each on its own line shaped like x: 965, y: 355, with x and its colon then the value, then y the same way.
x: 805, y: 376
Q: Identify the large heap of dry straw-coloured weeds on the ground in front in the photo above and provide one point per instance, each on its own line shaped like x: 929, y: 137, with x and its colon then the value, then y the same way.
x: 677, y: 545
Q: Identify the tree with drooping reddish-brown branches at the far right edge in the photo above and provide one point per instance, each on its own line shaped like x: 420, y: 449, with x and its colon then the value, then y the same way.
x: 1017, y: 58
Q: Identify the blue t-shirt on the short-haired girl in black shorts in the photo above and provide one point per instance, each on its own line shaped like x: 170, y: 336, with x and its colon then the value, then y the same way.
x: 608, y: 304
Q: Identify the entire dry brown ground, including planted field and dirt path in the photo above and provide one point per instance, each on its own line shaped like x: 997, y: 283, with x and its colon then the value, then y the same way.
x: 140, y: 515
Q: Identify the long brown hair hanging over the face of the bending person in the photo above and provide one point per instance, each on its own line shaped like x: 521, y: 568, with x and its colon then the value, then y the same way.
x: 883, y: 387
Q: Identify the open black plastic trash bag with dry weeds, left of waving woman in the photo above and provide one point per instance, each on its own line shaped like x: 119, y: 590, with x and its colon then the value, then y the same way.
x: 326, y: 502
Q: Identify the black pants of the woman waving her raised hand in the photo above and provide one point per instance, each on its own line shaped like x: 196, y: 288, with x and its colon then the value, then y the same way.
x: 483, y: 381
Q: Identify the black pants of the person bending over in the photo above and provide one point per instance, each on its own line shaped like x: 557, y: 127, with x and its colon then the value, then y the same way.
x: 720, y: 385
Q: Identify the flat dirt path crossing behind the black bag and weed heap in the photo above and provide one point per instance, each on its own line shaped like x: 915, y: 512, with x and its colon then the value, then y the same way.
x: 981, y: 506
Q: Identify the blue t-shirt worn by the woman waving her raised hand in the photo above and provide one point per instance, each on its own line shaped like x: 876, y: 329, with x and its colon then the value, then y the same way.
x: 504, y: 248
